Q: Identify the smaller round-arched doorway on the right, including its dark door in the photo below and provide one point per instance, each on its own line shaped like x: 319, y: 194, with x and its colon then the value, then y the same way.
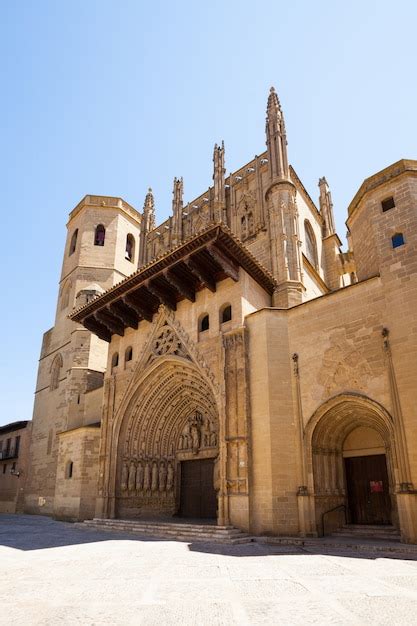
x: 352, y: 462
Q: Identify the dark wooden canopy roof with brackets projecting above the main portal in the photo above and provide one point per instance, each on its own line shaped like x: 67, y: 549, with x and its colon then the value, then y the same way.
x: 200, y: 262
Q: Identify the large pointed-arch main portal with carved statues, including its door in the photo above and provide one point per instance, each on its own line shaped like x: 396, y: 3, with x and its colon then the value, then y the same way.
x: 168, y: 445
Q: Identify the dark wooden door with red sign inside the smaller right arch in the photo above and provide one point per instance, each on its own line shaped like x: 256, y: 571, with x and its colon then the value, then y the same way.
x: 368, y: 489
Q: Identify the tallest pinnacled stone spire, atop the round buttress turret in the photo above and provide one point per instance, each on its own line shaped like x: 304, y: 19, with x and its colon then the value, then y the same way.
x: 276, y: 138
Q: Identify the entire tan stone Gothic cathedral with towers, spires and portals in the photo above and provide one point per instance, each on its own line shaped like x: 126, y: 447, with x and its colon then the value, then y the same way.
x: 232, y: 362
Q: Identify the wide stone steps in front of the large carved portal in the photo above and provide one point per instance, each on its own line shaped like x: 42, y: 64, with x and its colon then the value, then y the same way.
x: 177, y: 531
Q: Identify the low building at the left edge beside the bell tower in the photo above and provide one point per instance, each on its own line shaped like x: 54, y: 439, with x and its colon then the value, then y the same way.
x: 14, y: 454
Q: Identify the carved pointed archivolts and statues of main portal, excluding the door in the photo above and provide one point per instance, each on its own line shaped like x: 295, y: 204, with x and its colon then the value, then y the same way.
x: 172, y: 412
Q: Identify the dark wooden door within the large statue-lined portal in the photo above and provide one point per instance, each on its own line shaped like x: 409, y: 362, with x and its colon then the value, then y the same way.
x: 198, y: 498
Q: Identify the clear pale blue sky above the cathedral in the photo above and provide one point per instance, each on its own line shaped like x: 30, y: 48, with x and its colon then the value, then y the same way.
x: 108, y: 97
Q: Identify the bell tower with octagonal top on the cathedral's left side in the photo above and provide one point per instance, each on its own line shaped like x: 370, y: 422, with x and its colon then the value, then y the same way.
x: 101, y: 249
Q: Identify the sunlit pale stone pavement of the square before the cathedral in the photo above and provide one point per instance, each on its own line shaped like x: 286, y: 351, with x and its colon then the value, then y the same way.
x: 53, y: 573
